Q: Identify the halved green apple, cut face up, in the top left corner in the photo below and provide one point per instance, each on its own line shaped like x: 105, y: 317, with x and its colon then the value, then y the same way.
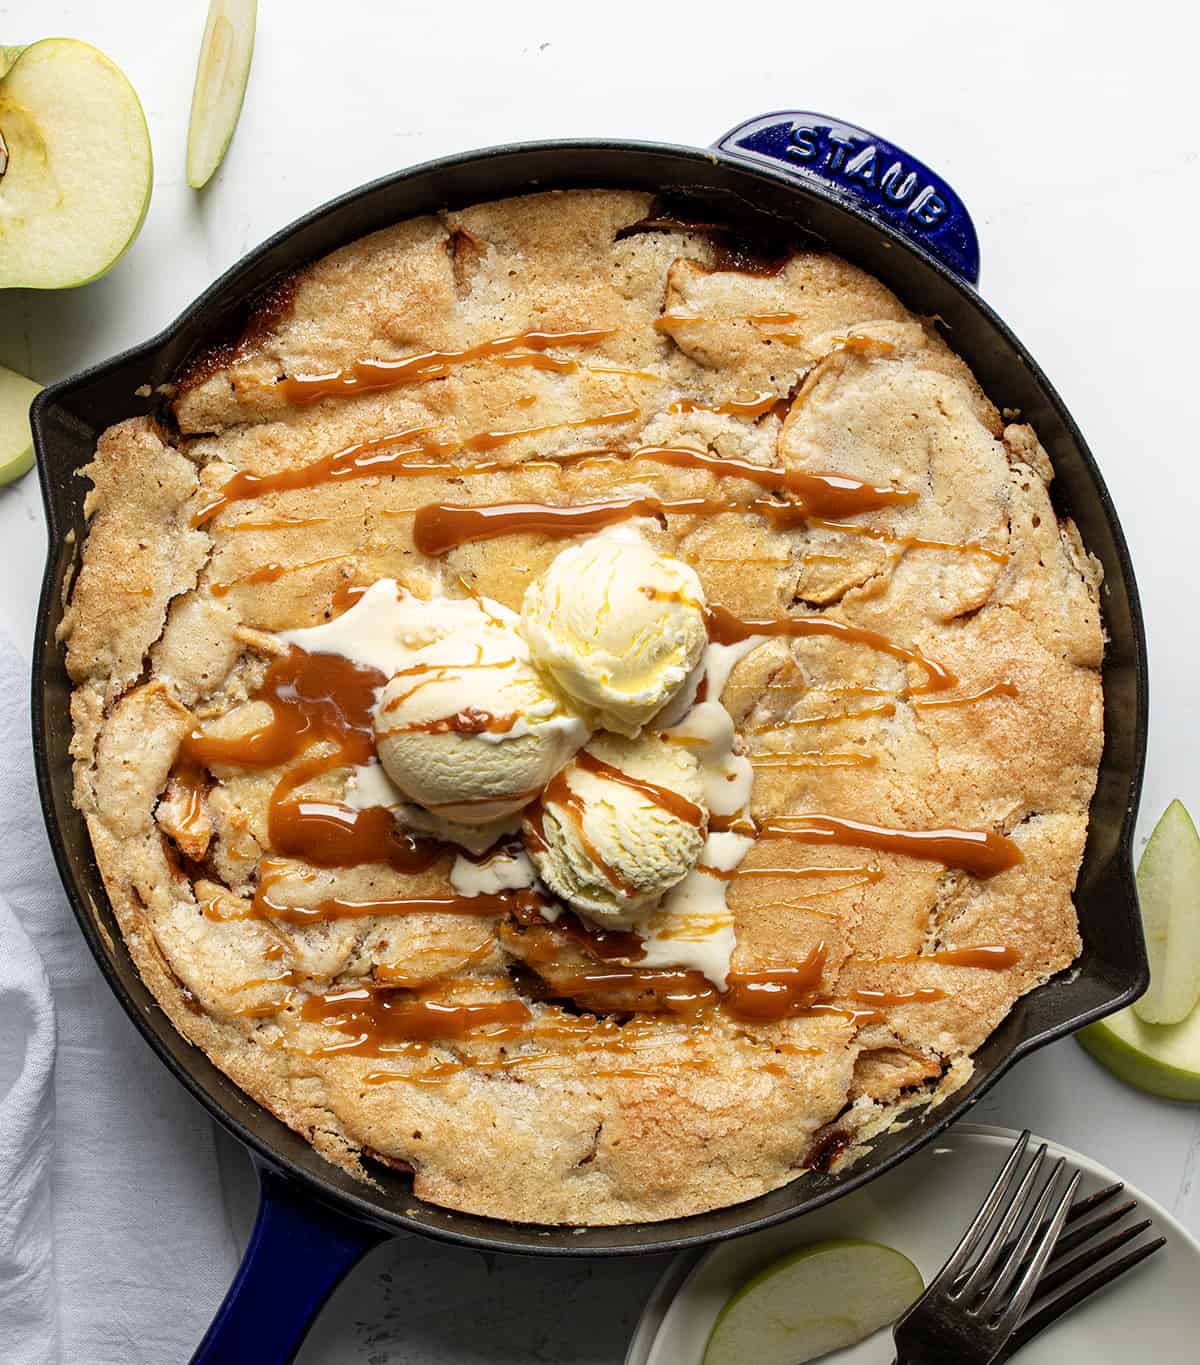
x: 77, y: 164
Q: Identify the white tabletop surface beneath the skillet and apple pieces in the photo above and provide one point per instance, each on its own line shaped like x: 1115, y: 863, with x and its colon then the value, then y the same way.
x: 1074, y: 140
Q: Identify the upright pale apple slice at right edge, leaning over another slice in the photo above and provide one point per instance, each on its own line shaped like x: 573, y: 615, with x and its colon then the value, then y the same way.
x: 1169, y: 891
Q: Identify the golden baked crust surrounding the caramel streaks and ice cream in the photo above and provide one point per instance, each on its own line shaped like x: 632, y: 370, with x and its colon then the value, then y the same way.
x: 652, y: 1117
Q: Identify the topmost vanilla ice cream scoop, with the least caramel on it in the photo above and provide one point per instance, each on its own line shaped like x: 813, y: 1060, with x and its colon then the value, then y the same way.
x: 618, y: 626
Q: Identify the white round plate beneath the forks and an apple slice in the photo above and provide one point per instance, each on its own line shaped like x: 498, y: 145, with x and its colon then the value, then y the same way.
x: 922, y: 1207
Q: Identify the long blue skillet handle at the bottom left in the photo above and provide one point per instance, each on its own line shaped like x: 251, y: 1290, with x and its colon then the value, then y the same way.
x: 298, y: 1252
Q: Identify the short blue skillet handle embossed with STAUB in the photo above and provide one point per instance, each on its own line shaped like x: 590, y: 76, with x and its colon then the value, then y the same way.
x: 873, y: 174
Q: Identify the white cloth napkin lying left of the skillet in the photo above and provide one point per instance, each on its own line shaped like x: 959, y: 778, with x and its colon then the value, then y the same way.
x: 115, y: 1244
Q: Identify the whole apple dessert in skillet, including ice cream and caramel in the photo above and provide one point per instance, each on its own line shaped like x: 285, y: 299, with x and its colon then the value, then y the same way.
x: 585, y: 712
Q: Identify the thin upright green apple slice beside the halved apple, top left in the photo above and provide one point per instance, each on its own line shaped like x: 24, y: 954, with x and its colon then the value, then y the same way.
x: 220, y: 85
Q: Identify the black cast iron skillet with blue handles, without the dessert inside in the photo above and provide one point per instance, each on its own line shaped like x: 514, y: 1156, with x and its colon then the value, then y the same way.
x: 870, y: 203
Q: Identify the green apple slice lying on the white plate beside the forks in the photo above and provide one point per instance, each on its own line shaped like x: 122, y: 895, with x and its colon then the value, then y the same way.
x: 814, y: 1302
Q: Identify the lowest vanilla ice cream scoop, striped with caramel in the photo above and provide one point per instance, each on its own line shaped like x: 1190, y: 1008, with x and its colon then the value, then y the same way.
x: 619, y: 827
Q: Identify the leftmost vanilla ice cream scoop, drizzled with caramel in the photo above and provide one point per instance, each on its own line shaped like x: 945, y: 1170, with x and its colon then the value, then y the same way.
x: 469, y: 730
